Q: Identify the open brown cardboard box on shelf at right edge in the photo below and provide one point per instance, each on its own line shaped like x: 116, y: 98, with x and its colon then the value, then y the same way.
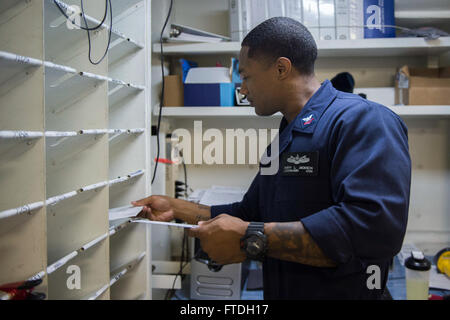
x: 422, y: 86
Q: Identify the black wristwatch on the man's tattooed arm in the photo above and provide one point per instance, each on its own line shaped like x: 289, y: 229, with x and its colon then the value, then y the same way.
x: 254, y: 242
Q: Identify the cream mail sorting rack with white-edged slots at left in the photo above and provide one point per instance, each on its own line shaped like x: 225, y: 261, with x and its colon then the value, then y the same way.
x: 73, y: 142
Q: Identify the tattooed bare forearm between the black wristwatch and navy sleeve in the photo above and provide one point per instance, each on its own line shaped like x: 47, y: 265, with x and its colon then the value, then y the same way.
x: 290, y: 241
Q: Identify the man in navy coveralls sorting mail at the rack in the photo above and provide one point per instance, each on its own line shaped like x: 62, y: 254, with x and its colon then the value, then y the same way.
x: 329, y: 222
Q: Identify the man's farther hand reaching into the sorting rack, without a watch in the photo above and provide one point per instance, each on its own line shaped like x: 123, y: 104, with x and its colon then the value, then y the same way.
x: 158, y: 208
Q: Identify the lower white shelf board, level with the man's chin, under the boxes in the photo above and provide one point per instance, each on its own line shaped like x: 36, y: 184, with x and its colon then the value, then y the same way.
x: 238, y: 112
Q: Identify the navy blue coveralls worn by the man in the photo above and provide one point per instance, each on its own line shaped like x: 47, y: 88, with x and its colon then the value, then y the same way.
x: 352, y: 197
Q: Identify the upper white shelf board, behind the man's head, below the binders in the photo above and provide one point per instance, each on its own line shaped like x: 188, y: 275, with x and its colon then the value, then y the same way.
x: 328, y: 48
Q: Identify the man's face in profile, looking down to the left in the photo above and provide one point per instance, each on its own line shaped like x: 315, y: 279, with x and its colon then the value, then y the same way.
x: 259, y: 83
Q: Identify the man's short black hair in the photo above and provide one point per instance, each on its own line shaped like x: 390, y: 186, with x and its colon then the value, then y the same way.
x: 283, y: 37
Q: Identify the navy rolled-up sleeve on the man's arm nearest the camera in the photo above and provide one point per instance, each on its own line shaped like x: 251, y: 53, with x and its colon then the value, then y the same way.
x: 370, y: 180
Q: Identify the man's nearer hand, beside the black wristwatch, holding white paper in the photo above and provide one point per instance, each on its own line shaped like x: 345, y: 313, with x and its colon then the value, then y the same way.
x: 220, y: 238
